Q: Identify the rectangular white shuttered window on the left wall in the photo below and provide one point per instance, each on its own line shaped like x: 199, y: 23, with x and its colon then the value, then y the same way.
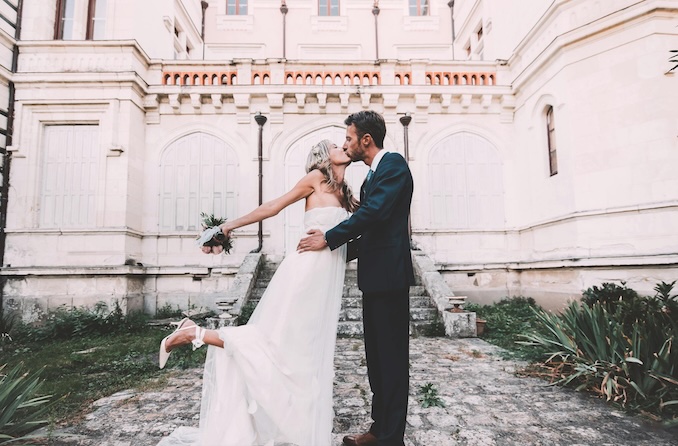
x: 71, y: 159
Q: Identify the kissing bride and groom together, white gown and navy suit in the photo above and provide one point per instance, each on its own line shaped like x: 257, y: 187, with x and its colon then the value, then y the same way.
x: 269, y: 382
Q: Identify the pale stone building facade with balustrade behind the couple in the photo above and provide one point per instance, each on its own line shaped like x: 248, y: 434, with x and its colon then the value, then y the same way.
x: 543, y: 138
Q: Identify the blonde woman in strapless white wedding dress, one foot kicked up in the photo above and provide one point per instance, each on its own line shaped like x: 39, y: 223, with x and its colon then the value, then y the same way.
x: 270, y: 381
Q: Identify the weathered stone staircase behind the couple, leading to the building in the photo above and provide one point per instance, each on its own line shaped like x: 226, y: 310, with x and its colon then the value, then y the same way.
x: 424, y: 316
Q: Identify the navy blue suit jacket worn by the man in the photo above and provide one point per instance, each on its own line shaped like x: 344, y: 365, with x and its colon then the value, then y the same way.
x: 381, y: 222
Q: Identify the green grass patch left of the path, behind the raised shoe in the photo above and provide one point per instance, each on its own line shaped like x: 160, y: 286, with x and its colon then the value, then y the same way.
x: 80, y: 370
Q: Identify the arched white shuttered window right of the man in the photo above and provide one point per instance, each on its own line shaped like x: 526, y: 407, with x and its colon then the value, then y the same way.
x: 466, y: 184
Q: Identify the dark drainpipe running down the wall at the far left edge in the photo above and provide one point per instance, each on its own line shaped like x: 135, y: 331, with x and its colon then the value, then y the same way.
x: 7, y: 156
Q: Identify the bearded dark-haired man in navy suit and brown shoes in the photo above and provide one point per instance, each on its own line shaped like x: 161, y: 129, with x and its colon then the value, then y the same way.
x: 380, y: 229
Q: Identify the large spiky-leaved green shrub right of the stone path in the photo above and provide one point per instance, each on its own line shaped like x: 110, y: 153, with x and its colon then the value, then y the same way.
x: 622, y: 350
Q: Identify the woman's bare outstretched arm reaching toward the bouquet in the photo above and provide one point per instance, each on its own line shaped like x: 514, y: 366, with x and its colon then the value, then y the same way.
x: 302, y: 189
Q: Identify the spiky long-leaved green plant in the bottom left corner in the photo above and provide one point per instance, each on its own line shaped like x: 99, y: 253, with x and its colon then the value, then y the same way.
x: 21, y: 410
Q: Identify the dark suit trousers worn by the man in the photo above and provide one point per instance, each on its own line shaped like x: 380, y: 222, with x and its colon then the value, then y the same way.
x: 386, y: 318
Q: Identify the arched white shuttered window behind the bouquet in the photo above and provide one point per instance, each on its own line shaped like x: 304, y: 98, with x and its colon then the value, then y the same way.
x: 197, y: 174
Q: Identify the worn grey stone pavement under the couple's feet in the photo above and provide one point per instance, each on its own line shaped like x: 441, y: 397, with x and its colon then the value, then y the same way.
x: 485, y: 404
